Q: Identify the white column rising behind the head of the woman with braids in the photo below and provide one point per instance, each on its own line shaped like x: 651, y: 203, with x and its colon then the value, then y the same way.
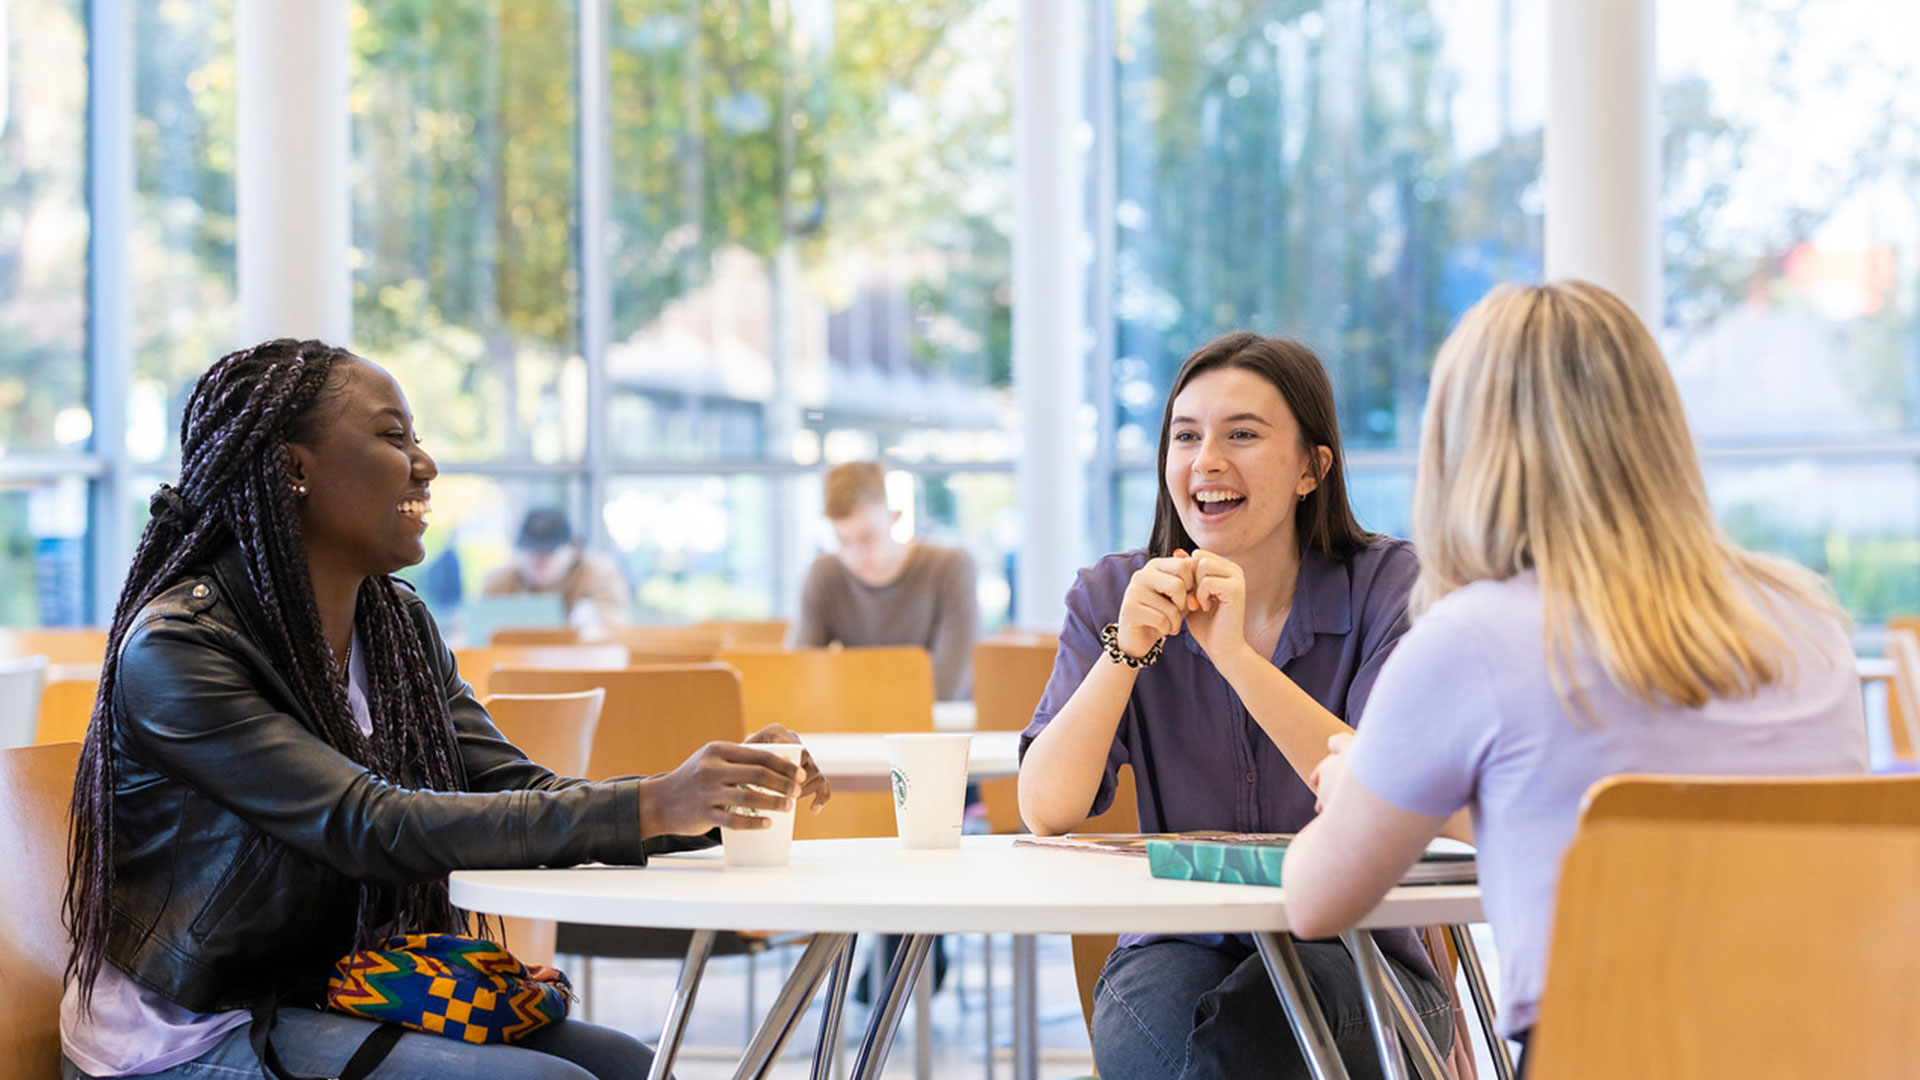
x: 293, y: 176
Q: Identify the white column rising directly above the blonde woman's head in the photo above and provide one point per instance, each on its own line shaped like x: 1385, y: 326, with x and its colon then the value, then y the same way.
x: 1602, y: 151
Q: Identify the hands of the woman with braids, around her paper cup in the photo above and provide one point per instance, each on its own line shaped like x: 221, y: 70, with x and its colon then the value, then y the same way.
x: 725, y: 779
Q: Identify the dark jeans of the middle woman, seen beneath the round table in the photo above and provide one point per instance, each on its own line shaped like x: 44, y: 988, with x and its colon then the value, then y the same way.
x: 1191, y: 1012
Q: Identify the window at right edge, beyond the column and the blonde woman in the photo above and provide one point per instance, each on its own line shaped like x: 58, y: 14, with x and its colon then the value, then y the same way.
x: 1792, y: 299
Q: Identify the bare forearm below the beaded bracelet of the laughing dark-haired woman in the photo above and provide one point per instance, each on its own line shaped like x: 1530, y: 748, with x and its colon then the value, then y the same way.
x: 1061, y: 773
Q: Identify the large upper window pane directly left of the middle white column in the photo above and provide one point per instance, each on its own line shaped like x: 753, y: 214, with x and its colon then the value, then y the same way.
x: 809, y: 228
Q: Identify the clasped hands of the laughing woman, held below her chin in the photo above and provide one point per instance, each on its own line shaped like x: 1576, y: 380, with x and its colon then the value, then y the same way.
x: 1203, y: 593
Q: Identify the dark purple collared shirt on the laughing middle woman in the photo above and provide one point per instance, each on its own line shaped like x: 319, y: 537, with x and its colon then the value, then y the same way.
x: 1199, y: 758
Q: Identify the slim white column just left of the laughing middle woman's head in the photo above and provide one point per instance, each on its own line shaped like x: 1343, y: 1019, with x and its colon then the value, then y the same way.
x: 1049, y: 307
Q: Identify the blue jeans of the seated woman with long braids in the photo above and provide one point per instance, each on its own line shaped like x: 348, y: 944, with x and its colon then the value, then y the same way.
x: 320, y: 1044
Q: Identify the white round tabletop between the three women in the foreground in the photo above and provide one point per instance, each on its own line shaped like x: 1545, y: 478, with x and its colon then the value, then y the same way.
x: 988, y: 887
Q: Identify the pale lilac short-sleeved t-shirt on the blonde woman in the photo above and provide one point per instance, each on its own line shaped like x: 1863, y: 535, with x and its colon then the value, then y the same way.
x: 1466, y: 716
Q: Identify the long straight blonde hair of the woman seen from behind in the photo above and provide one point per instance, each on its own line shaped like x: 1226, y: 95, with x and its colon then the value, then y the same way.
x: 1556, y: 443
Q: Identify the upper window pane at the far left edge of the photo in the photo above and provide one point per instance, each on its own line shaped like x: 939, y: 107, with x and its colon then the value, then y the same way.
x: 43, y: 228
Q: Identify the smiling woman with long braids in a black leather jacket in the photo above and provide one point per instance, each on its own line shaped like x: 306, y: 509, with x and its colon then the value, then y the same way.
x: 285, y: 764
